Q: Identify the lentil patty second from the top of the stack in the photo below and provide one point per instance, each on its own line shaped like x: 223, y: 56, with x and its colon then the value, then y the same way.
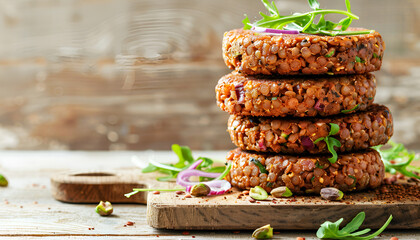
x: 303, y: 96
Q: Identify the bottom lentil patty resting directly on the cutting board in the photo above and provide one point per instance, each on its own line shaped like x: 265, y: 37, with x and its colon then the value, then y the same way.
x: 308, y: 174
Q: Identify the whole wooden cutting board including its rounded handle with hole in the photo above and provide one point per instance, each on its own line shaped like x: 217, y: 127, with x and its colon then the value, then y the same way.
x: 232, y: 211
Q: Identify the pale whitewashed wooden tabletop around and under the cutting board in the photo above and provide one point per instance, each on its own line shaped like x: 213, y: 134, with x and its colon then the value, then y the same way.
x: 27, y: 210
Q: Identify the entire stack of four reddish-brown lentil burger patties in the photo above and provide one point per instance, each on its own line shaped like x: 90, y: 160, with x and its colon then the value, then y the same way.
x: 284, y: 96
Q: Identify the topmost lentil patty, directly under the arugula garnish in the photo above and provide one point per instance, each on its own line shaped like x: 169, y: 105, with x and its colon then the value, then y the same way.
x: 288, y: 54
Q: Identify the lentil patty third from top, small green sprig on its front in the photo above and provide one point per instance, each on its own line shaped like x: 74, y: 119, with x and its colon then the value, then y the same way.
x: 358, y: 131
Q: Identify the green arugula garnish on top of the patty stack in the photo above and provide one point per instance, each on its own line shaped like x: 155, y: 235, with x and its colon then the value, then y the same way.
x: 305, y: 22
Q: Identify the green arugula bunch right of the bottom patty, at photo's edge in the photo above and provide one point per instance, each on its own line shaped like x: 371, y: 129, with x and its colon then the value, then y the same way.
x: 398, y: 159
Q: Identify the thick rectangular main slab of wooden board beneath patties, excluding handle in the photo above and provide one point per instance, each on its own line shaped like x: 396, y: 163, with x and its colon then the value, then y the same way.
x: 228, y: 212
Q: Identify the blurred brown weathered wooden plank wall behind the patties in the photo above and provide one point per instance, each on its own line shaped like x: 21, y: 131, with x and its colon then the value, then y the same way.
x: 140, y: 74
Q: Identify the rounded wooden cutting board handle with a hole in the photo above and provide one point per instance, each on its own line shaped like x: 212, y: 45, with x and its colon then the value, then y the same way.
x: 95, y: 186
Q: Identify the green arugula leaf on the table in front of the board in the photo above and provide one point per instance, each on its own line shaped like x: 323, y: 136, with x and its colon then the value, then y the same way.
x: 331, y: 229
